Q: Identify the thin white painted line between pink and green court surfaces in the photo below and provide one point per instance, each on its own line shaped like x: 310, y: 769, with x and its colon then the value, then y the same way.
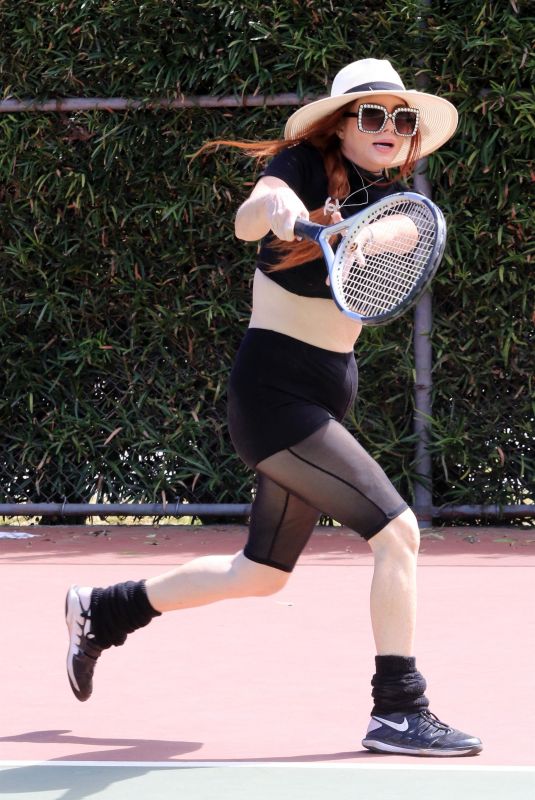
x: 444, y: 767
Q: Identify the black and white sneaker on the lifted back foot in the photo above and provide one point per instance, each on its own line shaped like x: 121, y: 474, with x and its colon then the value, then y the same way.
x: 83, y: 650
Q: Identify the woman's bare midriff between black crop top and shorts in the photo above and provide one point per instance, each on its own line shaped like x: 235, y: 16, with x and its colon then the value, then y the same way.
x: 315, y: 320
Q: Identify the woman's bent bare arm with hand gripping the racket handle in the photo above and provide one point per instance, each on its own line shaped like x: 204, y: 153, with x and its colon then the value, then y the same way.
x: 272, y: 205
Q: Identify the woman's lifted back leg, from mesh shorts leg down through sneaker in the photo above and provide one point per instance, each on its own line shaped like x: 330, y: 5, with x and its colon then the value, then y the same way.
x: 98, y: 618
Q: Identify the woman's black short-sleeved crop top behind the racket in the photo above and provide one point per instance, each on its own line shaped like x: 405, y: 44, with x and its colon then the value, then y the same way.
x: 301, y: 167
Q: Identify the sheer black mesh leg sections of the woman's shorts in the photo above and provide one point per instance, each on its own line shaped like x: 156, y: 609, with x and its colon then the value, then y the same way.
x: 328, y: 472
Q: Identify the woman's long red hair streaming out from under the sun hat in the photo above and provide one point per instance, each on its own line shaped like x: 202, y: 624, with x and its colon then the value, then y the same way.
x: 323, y: 135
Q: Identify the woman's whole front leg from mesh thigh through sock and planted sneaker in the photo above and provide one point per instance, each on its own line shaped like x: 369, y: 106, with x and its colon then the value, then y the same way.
x: 331, y: 470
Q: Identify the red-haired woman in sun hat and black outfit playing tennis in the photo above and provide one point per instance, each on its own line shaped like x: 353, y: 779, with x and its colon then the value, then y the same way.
x: 293, y: 381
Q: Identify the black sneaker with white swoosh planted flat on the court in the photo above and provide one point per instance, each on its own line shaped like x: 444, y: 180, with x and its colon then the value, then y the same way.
x: 420, y: 734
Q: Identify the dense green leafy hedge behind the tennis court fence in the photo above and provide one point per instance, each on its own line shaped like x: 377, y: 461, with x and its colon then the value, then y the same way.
x: 125, y: 294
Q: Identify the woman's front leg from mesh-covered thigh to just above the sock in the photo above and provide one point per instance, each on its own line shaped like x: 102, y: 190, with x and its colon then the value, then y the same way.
x: 332, y: 470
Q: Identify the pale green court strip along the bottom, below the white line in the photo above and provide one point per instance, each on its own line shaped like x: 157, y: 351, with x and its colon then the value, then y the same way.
x: 105, y: 780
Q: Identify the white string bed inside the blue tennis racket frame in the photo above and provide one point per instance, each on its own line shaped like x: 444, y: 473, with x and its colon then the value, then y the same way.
x: 372, y: 283
